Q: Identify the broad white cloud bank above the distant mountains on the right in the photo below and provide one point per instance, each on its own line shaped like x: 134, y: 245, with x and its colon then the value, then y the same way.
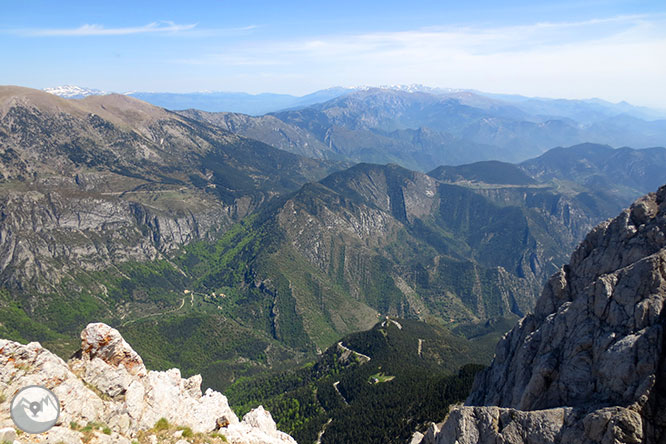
x: 616, y: 58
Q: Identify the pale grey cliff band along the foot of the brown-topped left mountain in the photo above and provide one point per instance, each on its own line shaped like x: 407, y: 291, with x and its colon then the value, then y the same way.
x: 48, y: 233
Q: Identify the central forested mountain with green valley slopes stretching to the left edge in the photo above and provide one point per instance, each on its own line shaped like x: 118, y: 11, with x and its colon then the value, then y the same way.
x: 325, y: 261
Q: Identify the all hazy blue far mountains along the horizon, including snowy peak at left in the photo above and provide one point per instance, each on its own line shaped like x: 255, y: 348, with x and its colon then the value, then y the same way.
x: 416, y: 126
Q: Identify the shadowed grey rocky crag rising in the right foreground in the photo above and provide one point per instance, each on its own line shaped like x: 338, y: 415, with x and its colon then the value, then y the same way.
x: 589, y: 365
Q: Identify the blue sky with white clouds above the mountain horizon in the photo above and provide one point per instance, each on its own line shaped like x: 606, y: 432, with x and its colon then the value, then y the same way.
x: 615, y: 50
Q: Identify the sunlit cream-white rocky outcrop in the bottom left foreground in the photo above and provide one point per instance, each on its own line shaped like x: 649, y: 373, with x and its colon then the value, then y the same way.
x: 108, y: 396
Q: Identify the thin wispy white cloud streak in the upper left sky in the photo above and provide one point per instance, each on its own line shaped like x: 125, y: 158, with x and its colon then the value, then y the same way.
x: 99, y: 30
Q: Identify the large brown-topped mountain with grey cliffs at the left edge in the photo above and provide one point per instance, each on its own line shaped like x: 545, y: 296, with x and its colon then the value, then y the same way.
x: 87, y: 184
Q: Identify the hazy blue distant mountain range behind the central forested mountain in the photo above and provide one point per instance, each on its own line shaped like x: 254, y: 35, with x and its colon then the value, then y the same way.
x: 419, y: 130
